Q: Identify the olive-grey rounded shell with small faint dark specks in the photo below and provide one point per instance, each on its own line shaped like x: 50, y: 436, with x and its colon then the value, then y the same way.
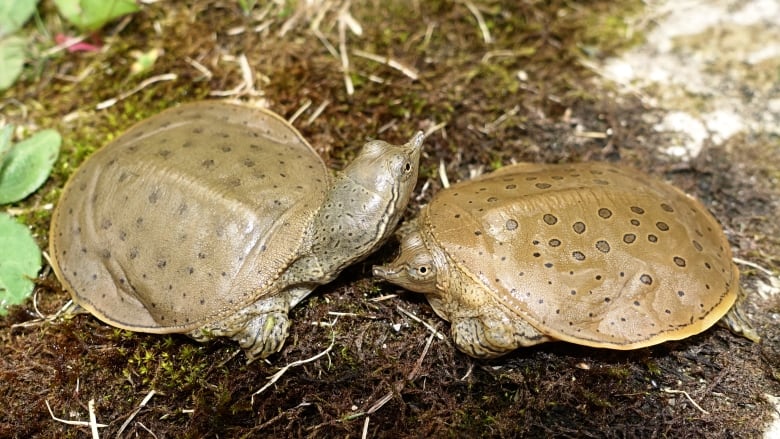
x: 187, y: 217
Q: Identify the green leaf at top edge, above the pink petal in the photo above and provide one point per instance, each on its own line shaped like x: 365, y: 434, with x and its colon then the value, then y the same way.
x: 91, y: 15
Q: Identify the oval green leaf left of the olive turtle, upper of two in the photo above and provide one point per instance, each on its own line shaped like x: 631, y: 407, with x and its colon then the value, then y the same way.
x: 27, y: 165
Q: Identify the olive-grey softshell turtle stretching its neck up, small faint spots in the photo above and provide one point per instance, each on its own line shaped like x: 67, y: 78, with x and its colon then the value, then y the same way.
x: 214, y: 219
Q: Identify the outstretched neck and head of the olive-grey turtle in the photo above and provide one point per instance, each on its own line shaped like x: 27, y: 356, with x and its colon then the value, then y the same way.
x: 360, y: 211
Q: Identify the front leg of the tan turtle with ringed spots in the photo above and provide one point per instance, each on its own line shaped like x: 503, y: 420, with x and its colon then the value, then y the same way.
x: 493, y: 332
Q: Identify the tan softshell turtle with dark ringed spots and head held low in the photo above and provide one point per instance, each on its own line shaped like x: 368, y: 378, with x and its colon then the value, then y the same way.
x: 593, y: 254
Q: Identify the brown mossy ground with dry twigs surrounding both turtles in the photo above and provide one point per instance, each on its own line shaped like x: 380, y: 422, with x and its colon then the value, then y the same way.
x: 511, y: 81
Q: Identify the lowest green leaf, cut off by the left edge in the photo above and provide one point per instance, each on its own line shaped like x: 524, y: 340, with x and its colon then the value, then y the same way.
x: 20, y: 262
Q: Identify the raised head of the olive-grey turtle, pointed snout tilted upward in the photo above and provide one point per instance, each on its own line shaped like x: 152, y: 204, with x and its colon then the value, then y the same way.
x: 389, y: 172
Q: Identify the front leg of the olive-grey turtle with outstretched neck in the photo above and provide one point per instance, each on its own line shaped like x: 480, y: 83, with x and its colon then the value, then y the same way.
x: 260, y: 328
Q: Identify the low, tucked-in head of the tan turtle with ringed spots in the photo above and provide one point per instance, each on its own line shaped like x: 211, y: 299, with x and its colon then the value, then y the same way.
x: 414, y: 268
